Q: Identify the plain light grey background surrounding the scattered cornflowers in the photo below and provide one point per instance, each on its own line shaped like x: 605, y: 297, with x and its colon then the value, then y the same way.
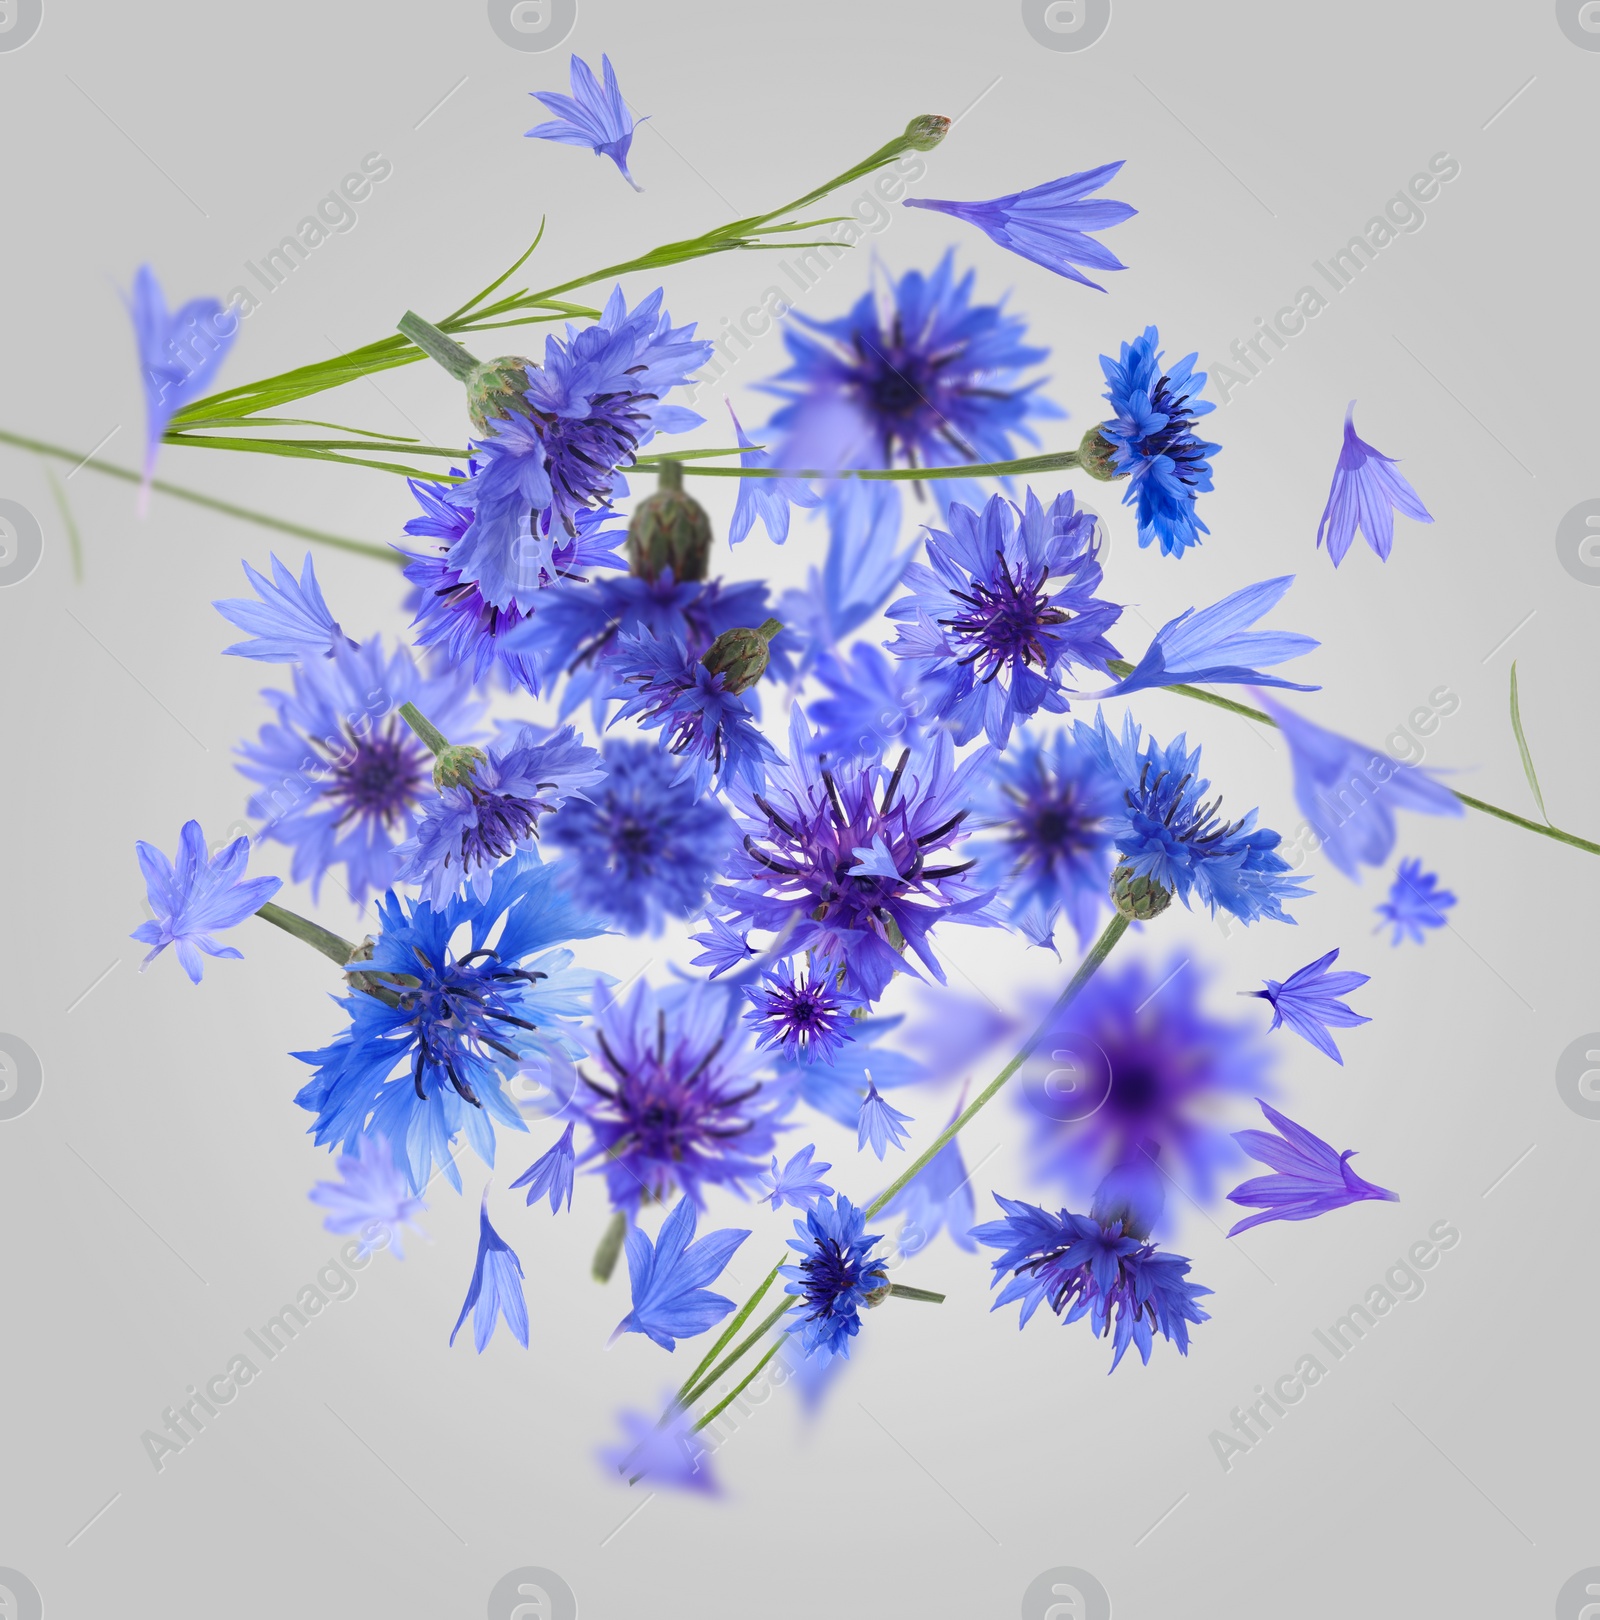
x: 153, y: 1200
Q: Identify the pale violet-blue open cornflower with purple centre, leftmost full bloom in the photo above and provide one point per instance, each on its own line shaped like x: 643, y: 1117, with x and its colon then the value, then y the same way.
x: 341, y: 778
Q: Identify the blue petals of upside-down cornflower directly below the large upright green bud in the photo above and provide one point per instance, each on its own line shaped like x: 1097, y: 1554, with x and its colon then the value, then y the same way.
x: 576, y: 634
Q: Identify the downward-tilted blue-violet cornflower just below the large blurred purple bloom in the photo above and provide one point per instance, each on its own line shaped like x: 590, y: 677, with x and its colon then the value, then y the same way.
x: 1097, y: 1266
